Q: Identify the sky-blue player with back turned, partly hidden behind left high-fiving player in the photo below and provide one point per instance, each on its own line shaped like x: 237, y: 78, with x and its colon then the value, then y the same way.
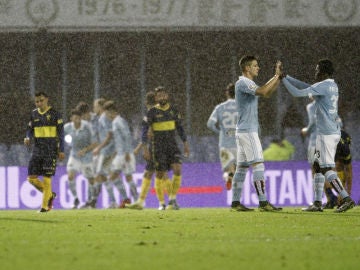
x: 222, y: 121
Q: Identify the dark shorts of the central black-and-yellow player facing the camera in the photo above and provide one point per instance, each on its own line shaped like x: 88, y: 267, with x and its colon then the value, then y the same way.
x: 165, y: 155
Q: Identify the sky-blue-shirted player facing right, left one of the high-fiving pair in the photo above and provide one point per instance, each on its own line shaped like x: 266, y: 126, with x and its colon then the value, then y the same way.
x: 249, y: 149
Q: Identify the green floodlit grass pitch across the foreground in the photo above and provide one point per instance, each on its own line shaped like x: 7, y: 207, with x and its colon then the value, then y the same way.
x: 195, y: 238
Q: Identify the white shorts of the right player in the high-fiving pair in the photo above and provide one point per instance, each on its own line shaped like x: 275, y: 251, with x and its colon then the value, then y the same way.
x: 325, y: 150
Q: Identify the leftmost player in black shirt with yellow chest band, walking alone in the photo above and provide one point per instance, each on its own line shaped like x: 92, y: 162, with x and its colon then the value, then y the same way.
x: 46, y: 128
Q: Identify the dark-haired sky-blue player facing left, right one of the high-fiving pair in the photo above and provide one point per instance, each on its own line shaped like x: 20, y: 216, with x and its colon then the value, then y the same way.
x: 325, y: 92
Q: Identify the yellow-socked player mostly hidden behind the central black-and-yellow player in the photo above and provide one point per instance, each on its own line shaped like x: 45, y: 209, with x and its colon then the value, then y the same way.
x: 150, y: 167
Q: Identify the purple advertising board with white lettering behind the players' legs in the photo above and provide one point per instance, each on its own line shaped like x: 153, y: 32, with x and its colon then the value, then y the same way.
x: 287, y: 183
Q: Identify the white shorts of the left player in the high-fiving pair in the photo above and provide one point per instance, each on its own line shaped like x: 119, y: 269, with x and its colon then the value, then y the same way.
x: 249, y: 149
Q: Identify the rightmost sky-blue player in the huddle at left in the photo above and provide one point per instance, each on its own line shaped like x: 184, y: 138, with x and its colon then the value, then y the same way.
x: 124, y: 160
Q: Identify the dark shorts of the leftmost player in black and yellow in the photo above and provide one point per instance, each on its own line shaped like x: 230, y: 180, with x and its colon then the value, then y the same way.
x: 42, y: 165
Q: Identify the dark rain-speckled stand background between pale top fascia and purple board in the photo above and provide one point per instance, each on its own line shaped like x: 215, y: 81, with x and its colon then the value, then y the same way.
x: 195, y: 65
